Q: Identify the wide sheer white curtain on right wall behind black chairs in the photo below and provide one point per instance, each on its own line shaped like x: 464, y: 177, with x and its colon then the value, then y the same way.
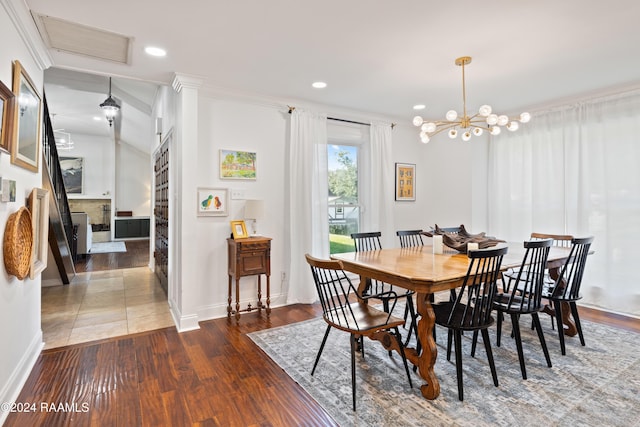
x: 576, y: 170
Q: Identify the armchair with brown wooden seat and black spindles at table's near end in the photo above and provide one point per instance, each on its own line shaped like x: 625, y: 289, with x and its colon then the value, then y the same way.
x: 359, y: 319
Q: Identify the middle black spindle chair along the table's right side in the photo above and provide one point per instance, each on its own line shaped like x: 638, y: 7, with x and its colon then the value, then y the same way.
x: 522, y: 294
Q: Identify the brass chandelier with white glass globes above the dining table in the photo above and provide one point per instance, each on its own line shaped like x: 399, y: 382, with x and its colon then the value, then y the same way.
x: 476, y: 124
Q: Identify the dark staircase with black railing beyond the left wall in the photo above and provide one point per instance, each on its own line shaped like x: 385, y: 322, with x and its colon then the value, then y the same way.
x: 61, y: 229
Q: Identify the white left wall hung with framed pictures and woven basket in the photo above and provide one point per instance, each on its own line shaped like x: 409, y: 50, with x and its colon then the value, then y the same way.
x: 20, y: 335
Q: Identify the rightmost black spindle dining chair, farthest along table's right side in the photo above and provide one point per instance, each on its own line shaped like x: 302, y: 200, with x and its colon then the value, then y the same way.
x: 566, y: 288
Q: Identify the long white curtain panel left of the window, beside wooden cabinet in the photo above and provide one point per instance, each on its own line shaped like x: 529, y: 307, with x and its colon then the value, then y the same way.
x: 308, y: 201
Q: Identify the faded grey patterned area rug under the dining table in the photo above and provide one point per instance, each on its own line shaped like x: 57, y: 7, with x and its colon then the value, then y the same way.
x: 596, y: 385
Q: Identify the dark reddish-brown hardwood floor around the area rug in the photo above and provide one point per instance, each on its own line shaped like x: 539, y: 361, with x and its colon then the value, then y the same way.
x: 214, y: 376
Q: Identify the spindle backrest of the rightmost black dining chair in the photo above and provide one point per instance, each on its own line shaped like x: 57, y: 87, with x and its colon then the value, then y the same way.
x: 567, y: 287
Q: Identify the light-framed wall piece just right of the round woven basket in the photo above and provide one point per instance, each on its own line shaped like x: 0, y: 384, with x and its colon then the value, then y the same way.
x: 39, y: 208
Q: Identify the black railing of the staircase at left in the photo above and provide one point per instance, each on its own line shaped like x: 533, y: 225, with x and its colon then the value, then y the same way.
x: 55, y: 171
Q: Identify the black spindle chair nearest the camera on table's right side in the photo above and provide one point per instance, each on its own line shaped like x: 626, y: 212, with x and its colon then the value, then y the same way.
x: 471, y: 309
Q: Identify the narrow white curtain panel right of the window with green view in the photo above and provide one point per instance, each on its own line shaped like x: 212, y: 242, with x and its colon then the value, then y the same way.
x: 379, y: 197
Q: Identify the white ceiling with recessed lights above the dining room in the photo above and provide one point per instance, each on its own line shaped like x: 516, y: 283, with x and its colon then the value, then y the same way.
x: 378, y: 58
